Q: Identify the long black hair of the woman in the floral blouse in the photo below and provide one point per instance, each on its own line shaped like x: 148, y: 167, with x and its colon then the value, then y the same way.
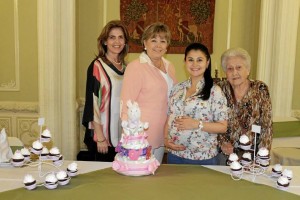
x: 208, y: 81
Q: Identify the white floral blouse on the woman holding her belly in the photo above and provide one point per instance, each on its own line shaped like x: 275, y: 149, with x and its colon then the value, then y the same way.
x: 199, y: 145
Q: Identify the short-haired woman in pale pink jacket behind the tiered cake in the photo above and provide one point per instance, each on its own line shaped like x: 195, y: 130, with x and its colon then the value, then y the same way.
x: 148, y: 81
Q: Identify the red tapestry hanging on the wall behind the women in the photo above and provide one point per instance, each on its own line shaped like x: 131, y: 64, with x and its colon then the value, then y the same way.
x: 188, y: 20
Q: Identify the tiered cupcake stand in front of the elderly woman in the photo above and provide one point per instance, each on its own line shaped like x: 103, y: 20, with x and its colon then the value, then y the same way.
x: 259, y: 165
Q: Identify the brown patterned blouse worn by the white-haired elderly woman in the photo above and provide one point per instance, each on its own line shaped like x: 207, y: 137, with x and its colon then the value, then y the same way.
x: 254, y: 109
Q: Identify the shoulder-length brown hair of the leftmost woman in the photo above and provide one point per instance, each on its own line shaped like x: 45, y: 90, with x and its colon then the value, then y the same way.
x: 102, y: 48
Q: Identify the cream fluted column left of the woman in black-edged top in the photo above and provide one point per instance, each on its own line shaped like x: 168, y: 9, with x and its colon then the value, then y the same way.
x: 56, y: 45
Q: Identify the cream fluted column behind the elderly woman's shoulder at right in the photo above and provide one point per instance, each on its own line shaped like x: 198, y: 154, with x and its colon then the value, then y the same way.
x: 277, y: 51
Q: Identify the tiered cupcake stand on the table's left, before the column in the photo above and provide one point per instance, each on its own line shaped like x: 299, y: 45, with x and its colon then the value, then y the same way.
x: 53, y: 159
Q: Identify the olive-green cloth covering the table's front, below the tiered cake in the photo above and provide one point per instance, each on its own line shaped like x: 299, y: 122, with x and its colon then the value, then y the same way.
x: 169, y: 182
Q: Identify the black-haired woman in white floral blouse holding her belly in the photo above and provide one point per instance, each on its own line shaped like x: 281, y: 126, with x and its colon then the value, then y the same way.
x: 197, y: 112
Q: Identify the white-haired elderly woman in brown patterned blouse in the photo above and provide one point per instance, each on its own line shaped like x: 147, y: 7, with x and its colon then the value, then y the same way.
x: 248, y: 102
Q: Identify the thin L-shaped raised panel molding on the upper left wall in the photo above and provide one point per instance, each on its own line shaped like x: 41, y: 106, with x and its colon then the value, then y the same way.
x: 14, y: 85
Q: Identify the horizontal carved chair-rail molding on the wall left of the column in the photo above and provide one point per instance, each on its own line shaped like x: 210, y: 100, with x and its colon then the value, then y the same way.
x: 15, y: 106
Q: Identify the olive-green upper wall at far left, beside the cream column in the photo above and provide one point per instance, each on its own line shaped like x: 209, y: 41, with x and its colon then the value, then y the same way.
x: 28, y: 57
